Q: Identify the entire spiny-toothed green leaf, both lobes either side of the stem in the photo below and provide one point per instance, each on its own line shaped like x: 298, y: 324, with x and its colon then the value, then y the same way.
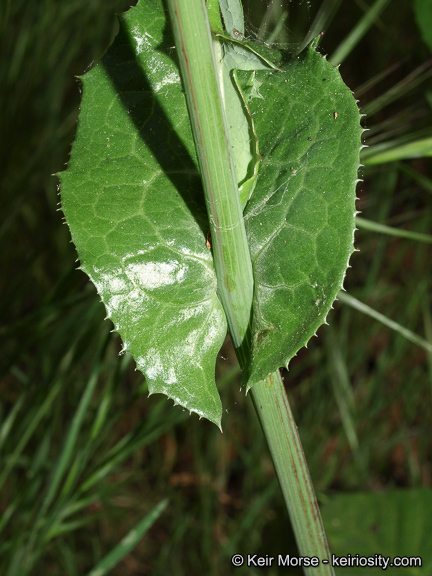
x: 132, y: 199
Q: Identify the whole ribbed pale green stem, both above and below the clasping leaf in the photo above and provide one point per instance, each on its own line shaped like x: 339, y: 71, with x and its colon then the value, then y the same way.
x: 234, y: 270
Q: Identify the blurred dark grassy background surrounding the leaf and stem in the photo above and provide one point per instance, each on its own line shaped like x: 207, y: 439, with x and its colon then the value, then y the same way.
x: 85, y: 455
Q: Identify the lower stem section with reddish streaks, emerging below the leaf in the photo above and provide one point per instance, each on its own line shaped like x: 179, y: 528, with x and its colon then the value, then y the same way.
x: 278, y: 424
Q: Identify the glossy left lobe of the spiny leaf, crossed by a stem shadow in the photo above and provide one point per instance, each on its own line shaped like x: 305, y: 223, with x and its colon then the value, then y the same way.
x: 132, y: 198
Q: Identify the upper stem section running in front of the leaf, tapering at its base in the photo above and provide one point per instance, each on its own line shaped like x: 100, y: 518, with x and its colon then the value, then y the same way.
x: 230, y: 249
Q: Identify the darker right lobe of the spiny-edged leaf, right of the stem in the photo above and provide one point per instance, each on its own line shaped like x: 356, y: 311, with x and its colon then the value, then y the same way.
x: 300, y: 219
